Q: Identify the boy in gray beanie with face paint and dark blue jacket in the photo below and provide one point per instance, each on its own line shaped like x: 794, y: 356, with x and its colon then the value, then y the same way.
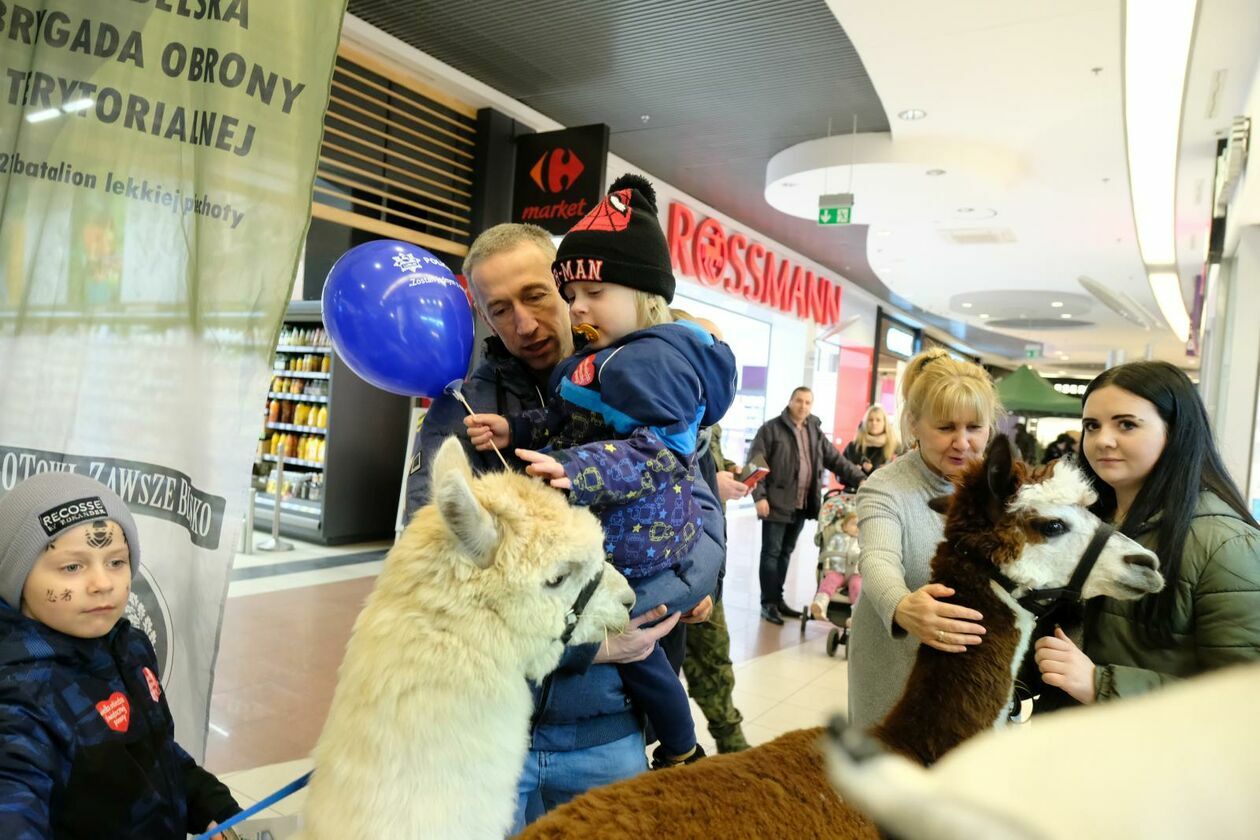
x: 88, y: 742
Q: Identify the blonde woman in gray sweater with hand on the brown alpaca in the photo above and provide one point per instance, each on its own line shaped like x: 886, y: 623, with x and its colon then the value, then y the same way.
x: 949, y: 409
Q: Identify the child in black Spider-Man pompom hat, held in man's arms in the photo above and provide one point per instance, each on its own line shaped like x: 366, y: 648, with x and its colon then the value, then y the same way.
x: 624, y: 414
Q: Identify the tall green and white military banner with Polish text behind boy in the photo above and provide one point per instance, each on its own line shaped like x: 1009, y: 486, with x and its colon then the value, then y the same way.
x: 157, y: 163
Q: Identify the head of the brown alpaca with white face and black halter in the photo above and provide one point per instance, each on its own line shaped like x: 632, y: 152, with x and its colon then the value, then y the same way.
x: 1035, y: 525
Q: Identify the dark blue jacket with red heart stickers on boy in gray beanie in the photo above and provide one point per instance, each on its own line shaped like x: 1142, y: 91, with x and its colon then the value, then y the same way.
x: 88, y: 742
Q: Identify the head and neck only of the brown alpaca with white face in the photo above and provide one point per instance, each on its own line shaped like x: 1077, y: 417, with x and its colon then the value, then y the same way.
x: 1026, y: 525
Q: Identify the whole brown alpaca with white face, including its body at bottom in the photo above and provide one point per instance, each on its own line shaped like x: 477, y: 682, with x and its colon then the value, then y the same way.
x: 1035, y: 527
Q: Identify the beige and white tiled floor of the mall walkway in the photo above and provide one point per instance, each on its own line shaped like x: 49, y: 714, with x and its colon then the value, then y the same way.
x: 284, y: 635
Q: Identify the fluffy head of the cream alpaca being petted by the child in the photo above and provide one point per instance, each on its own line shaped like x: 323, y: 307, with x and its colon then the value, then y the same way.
x: 516, y: 556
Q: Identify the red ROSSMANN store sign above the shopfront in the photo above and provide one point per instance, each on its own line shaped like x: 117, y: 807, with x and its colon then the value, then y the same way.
x: 744, y: 268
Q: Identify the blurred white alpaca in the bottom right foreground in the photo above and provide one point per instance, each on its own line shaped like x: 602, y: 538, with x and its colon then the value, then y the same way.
x: 1183, y: 763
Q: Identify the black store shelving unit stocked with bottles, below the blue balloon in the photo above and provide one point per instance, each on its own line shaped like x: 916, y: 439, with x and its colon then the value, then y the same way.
x: 345, y: 441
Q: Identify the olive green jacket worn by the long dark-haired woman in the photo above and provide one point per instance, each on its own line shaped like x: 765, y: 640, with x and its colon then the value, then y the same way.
x: 1217, y: 618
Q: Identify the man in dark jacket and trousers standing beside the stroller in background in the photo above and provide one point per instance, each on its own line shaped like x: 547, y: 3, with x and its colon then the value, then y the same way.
x: 794, y: 449
